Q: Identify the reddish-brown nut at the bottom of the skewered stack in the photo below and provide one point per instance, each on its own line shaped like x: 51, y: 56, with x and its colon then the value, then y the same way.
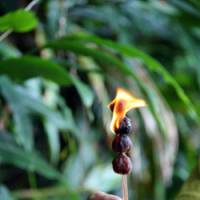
x: 122, y: 164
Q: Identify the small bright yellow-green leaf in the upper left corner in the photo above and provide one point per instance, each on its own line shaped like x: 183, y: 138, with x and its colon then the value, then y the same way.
x: 18, y: 21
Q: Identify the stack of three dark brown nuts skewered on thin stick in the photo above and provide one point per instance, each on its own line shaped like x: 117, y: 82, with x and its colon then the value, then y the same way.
x: 121, y: 145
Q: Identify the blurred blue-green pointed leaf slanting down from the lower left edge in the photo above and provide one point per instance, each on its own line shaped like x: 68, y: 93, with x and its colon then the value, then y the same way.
x: 11, y: 153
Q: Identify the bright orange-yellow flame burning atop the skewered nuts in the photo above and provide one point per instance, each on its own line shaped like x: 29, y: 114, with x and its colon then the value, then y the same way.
x: 121, y: 104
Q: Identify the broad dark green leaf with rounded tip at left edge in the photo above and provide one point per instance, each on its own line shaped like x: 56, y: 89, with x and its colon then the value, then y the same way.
x: 31, y: 66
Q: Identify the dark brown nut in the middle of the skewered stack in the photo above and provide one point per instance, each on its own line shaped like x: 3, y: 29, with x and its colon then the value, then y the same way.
x: 121, y: 143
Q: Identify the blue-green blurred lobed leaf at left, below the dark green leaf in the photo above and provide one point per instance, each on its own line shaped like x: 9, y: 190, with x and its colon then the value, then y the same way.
x: 22, y: 104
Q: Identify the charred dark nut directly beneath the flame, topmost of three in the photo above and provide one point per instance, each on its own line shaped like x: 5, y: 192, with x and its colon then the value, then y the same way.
x: 125, y: 126
